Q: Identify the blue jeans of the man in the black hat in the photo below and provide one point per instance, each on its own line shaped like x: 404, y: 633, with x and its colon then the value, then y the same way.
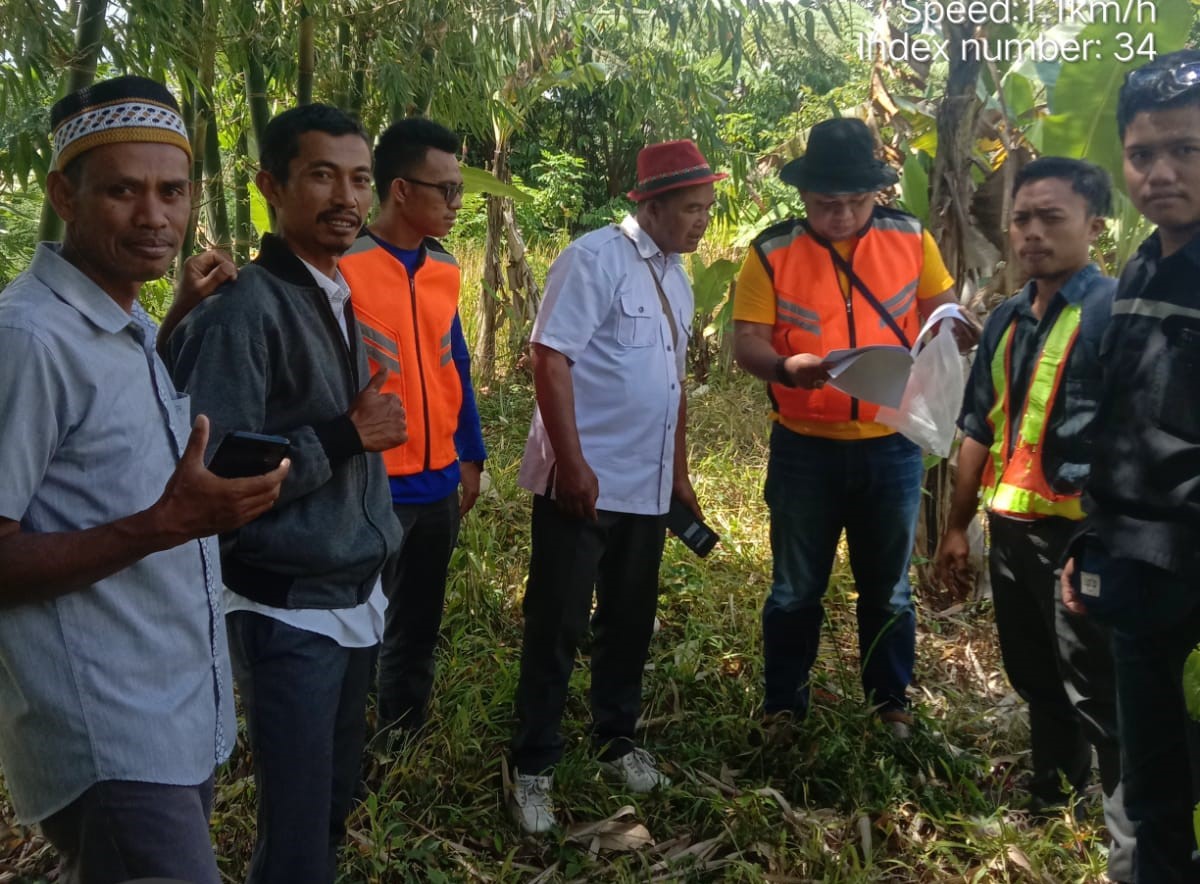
x: 815, y: 489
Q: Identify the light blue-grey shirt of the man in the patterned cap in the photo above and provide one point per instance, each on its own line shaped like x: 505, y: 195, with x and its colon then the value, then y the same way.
x: 129, y: 678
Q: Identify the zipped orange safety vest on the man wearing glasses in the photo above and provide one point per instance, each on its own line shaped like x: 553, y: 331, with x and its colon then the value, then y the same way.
x: 406, y: 328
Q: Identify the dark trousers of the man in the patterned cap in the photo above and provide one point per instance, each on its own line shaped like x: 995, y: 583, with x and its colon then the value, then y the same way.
x: 121, y: 831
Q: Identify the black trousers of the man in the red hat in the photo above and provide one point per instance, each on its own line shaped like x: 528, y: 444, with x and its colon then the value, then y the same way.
x: 617, y: 557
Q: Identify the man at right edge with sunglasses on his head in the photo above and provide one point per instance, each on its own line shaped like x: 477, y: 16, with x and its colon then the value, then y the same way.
x: 1137, y: 566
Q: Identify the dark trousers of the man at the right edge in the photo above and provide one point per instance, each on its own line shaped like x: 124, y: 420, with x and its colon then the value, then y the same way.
x: 1155, y: 617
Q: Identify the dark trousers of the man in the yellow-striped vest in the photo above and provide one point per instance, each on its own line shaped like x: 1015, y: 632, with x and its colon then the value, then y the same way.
x: 1061, y: 665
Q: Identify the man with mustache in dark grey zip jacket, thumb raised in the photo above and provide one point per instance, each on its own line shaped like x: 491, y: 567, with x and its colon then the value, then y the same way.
x: 279, y: 352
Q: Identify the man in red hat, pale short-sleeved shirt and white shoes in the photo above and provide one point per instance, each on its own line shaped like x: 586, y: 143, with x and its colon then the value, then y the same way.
x: 605, y: 456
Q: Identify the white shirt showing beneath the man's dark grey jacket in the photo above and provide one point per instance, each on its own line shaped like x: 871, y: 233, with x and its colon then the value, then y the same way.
x: 361, y: 627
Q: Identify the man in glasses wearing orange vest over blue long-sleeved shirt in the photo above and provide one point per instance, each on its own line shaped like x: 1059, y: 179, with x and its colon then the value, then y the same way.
x: 405, y: 290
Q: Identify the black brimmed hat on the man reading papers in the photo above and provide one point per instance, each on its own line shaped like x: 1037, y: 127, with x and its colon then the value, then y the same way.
x: 841, y: 160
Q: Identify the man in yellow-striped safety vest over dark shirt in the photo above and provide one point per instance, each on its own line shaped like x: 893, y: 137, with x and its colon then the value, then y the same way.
x: 1029, y: 429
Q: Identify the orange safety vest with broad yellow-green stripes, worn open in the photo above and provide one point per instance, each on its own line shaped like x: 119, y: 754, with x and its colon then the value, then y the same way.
x: 1015, y: 482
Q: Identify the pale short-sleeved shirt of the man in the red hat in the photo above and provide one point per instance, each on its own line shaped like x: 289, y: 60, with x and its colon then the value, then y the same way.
x: 602, y: 310
